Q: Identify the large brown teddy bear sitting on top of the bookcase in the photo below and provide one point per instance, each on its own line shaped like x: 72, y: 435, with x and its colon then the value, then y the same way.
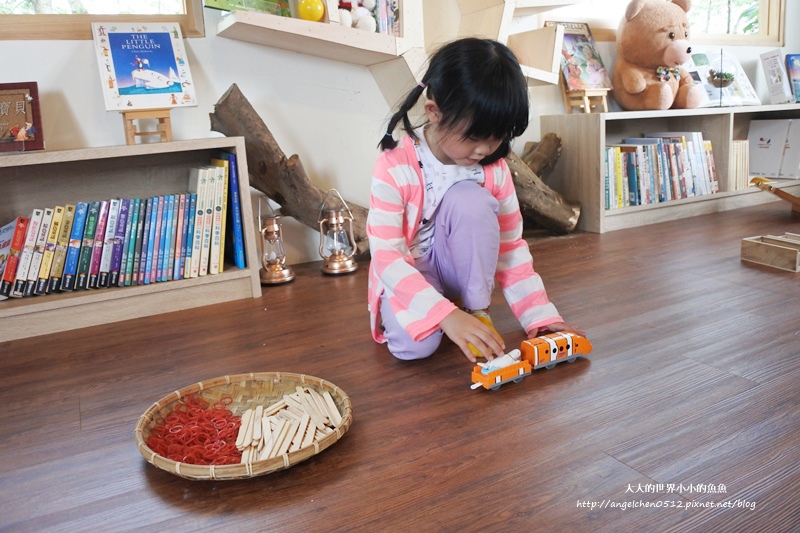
x: 652, y: 44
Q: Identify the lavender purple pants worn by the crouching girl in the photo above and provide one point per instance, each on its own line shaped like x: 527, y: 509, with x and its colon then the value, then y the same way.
x: 460, y: 264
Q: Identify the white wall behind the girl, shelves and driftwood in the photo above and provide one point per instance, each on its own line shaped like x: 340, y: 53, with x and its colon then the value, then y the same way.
x: 330, y: 113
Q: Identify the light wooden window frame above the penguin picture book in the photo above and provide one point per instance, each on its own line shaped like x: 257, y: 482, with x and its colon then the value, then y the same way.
x: 79, y: 27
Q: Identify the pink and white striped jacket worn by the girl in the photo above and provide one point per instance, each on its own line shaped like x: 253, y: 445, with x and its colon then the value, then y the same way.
x: 395, y: 209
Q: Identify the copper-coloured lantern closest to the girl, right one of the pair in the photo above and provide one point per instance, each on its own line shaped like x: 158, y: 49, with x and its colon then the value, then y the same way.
x: 335, y: 242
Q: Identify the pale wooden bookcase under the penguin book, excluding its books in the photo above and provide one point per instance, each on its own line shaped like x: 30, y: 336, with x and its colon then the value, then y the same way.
x: 45, y: 179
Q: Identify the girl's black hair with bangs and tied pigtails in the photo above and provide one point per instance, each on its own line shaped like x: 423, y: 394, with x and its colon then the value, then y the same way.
x: 474, y: 82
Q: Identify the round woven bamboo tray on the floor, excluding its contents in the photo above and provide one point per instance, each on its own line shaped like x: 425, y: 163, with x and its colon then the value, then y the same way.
x: 246, y: 391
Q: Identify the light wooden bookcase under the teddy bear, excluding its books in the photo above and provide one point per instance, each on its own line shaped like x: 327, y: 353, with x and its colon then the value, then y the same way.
x: 580, y: 169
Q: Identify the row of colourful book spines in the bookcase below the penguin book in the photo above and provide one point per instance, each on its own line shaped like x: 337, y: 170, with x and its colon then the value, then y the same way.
x: 121, y: 242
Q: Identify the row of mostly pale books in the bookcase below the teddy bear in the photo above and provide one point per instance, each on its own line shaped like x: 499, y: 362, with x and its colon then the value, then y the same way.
x: 659, y: 167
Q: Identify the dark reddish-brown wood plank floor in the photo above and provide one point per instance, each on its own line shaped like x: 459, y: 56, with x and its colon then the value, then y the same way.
x: 689, y: 399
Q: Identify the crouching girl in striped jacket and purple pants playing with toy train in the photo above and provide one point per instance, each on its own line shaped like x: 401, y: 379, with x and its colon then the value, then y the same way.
x: 444, y: 221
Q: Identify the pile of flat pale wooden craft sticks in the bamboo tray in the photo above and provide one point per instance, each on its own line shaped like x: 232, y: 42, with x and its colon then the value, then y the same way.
x: 291, y: 423
